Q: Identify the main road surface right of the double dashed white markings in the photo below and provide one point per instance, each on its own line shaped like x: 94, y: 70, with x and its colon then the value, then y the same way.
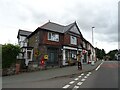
x: 106, y: 76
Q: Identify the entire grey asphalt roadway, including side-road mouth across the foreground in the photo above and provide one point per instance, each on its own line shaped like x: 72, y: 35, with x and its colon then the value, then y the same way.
x: 104, y: 76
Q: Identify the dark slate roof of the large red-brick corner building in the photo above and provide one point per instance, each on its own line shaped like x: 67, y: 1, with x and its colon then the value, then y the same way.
x: 56, y: 27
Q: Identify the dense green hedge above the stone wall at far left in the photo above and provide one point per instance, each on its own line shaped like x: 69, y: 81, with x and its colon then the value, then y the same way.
x: 9, y: 53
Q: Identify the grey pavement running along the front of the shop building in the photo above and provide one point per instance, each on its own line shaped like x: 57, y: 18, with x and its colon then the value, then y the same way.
x: 49, y: 73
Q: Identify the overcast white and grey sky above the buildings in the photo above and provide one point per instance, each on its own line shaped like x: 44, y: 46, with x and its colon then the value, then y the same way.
x: 30, y: 14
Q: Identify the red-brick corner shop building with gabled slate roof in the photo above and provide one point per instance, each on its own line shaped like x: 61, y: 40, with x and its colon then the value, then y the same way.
x: 60, y: 43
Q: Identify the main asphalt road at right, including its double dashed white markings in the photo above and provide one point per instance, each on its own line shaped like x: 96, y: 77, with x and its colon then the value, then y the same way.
x: 104, y: 76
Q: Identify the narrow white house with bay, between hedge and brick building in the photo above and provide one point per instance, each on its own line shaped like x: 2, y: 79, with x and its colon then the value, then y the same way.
x: 26, y: 52
